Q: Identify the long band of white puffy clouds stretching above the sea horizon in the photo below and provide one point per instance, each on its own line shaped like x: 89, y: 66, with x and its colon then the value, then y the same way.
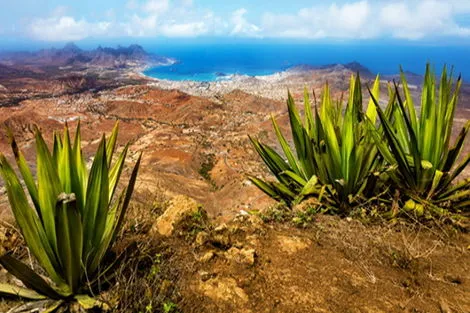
x: 345, y: 19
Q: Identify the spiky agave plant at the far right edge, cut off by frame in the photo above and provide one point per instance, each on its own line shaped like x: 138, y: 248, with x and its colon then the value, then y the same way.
x: 422, y: 162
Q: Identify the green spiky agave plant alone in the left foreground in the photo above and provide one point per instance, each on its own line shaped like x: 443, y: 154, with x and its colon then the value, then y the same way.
x: 73, y: 221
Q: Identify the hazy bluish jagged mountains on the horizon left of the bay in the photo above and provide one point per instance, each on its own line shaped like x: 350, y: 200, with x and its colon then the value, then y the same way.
x: 71, y: 56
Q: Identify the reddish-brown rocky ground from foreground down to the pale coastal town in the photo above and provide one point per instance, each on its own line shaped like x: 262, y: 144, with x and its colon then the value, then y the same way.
x: 195, y: 142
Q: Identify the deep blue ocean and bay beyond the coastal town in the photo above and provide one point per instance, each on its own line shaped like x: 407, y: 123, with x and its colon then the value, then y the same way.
x: 214, y: 61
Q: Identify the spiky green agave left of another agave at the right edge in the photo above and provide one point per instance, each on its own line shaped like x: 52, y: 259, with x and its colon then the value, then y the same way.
x: 333, y: 149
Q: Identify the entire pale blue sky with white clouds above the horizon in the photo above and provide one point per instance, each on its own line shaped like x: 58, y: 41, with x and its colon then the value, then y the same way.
x: 439, y: 21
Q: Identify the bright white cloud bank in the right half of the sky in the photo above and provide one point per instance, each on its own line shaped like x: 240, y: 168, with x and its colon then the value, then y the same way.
x: 367, y: 19
